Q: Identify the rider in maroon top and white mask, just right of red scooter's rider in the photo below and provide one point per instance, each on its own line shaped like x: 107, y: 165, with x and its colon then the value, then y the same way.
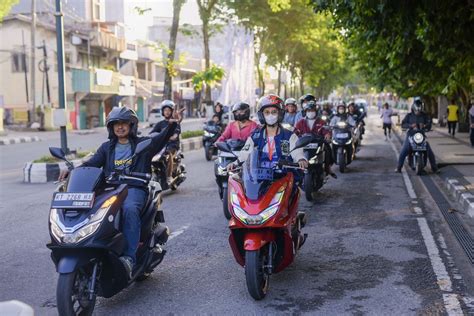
x: 313, y: 123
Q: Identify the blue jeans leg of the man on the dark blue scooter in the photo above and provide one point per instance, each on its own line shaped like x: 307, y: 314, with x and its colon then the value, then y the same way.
x: 132, y: 207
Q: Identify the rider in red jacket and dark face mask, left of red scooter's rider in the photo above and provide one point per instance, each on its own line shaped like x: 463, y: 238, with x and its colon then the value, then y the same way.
x: 242, y: 127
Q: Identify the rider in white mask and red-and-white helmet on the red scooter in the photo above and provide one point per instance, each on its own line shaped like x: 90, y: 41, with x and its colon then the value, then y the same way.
x: 271, y: 139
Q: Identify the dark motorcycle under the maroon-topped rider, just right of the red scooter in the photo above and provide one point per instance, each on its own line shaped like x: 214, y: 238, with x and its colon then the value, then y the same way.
x: 314, y: 177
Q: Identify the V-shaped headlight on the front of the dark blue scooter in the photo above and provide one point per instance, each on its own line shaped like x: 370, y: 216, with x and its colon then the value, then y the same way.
x: 90, y: 226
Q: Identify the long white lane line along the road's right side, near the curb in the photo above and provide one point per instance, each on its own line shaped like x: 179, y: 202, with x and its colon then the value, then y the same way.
x: 451, y: 300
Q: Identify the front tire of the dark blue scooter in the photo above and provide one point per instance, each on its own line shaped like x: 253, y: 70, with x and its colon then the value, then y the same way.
x: 67, y: 298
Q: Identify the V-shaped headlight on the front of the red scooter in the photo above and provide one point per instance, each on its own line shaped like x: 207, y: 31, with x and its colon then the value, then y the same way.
x: 263, y: 216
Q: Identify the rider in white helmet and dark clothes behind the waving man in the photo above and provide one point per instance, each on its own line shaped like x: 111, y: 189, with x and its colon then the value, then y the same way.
x: 167, y: 109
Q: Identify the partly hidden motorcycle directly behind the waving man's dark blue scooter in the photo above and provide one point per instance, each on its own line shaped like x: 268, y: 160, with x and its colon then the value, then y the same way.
x: 159, y: 164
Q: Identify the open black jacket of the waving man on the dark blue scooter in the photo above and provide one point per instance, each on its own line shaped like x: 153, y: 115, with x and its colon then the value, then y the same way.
x: 105, y: 154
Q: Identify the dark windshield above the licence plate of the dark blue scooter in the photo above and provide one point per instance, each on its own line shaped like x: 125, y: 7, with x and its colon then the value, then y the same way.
x: 84, y: 179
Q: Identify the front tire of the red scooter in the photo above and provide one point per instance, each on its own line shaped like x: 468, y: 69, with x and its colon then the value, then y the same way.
x: 257, y: 279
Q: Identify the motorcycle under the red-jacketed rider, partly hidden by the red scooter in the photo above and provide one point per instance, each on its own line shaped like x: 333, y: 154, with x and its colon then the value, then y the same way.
x: 220, y: 171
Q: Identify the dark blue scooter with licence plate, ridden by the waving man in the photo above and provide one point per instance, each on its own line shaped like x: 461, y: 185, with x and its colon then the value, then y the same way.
x: 85, y: 225
